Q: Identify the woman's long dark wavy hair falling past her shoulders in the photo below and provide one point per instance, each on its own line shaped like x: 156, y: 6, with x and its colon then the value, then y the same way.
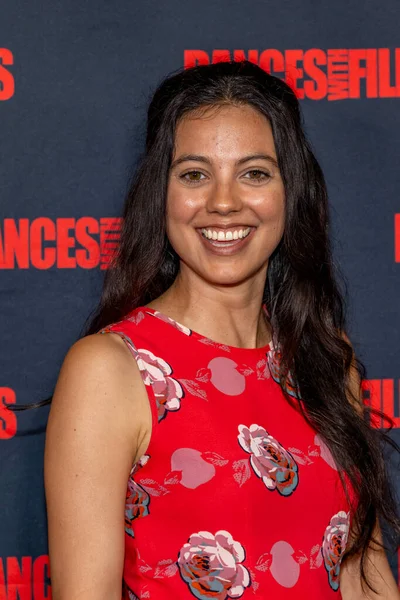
x: 304, y: 301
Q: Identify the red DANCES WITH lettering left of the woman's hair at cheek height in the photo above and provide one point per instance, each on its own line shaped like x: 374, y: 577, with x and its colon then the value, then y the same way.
x: 63, y: 243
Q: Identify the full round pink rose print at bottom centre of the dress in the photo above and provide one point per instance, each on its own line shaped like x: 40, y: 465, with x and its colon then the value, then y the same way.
x: 211, y: 566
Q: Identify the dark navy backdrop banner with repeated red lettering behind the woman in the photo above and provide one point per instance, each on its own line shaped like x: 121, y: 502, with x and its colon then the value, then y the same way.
x: 75, y: 81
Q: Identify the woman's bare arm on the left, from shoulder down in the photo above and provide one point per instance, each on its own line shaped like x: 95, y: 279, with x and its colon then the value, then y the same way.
x: 97, y: 424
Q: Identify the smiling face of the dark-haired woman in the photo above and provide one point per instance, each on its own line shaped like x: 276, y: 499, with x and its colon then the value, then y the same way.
x: 225, y: 200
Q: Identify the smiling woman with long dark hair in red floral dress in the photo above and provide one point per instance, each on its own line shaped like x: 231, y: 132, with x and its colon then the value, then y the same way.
x: 215, y: 445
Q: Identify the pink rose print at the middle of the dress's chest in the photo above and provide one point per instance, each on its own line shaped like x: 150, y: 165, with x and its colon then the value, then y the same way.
x: 270, y: 461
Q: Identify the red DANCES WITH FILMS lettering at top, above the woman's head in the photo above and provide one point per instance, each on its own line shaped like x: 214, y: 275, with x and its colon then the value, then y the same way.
x: 334, y: 74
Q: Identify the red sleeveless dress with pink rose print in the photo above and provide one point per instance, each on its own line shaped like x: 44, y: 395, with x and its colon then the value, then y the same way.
x: 236, y: 495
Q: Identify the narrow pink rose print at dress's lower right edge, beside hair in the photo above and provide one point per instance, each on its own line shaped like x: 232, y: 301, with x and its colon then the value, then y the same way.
x: 334, y: 544
